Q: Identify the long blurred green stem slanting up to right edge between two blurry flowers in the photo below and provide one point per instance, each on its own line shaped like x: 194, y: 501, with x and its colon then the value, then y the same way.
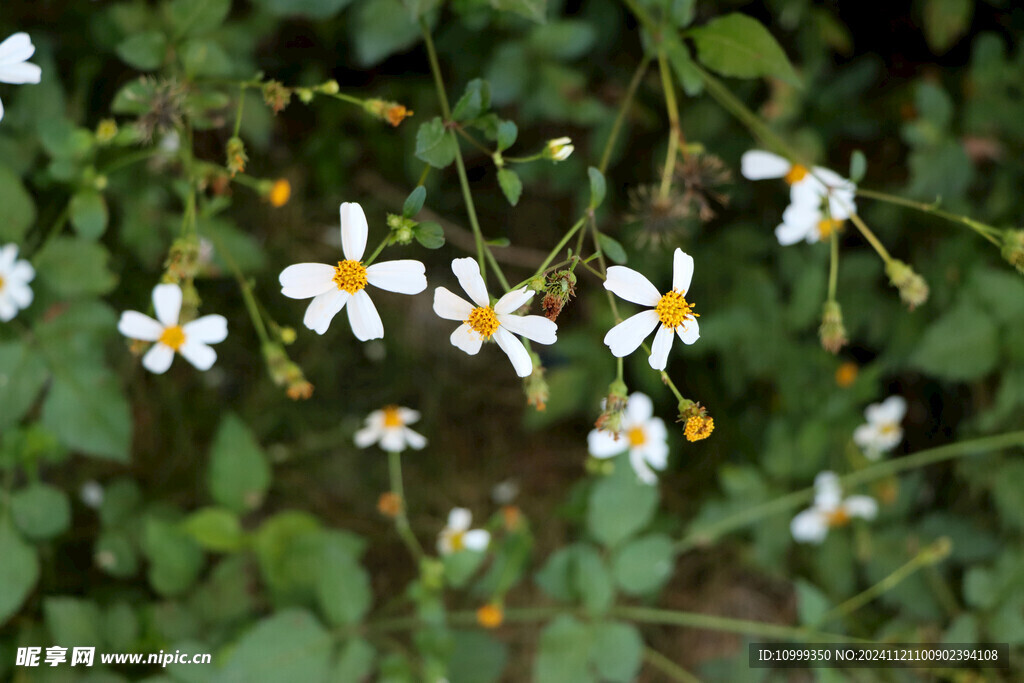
x: 875, y: 473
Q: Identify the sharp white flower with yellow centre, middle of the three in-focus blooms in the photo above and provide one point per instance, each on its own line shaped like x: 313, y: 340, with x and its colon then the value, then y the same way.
x: 481, y: 321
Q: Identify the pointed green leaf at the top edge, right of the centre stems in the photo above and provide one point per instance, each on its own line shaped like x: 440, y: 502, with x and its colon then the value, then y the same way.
x: 741, y: 47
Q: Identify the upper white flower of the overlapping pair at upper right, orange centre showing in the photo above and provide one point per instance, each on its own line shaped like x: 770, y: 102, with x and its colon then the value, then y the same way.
x: 807, y: 187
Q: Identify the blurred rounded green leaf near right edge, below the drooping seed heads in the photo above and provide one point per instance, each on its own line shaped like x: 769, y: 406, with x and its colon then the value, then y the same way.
x: 961, y: 346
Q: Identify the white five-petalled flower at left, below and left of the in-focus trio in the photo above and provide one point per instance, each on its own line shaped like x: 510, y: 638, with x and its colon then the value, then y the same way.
x: 191, y: 340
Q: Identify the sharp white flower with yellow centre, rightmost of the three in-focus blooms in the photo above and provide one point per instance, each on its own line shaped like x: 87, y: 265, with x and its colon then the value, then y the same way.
x: 671, y: 310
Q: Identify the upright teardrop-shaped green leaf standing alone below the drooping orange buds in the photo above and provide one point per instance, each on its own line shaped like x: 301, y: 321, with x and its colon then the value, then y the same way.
x: 239, y: 475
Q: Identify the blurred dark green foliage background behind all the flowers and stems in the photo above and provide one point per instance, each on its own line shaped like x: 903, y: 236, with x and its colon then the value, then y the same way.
x: 238, y: 522
